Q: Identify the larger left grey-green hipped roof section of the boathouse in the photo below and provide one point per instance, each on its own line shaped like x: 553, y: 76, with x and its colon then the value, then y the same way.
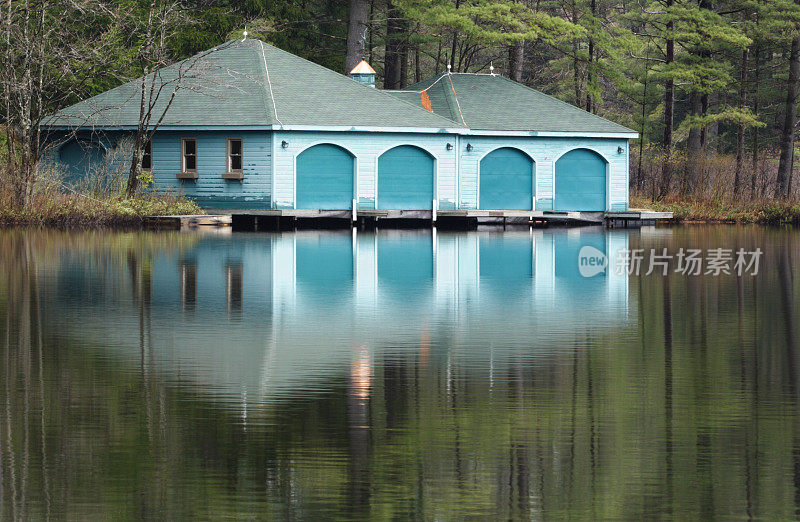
x: 250, y: 83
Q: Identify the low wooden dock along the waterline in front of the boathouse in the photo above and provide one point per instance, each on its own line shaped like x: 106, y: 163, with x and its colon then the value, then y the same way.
x: 283, y: 219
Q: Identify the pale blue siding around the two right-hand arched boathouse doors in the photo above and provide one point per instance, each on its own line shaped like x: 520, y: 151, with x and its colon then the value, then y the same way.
x: 545, y: 152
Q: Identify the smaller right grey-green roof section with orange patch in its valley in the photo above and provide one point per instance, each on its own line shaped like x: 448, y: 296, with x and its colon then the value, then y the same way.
x: 492, y: 102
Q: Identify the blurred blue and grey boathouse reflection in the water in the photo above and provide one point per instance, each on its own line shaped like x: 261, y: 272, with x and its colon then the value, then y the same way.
x: 274, y: 313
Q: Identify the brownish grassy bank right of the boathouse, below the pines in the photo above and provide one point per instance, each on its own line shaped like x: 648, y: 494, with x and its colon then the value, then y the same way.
x: 700, y: 210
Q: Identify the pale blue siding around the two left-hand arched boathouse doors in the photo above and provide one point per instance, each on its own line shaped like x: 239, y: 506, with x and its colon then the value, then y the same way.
x: 366, y: 147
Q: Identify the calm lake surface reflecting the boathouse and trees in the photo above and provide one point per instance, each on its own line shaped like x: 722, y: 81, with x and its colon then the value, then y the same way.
x: 395, y: 374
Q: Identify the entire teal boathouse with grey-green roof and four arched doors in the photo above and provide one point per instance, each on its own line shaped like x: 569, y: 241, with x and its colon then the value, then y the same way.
x: 255, y: 127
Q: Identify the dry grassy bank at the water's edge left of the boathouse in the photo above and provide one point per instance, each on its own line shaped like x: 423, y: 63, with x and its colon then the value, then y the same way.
x: 78, y: 210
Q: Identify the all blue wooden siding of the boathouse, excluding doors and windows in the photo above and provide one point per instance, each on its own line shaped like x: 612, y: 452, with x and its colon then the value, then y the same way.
x: 452, y: 190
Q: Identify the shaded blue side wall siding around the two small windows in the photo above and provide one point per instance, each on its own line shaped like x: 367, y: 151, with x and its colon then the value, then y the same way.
x: 210, y: 190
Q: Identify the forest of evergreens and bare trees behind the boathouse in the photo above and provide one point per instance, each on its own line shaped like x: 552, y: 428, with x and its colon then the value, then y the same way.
x: 710, y: 85
